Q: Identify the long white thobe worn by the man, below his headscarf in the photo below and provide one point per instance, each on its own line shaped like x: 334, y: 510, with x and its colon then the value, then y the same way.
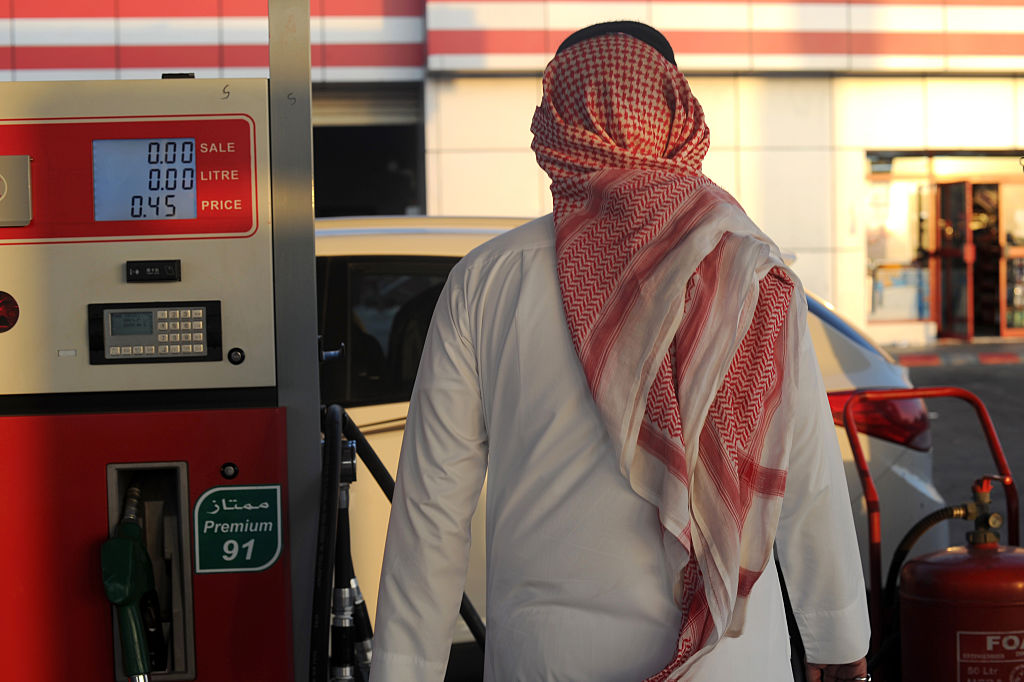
x: 578, y: 587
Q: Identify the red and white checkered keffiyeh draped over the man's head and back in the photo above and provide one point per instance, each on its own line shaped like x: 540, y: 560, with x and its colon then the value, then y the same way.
x: 680, y: 310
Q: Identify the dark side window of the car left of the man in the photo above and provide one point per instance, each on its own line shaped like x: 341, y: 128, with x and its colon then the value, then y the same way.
x: 380, y: 310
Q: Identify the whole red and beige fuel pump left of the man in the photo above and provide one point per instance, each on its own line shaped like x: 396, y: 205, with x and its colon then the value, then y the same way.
x: 148, y: 394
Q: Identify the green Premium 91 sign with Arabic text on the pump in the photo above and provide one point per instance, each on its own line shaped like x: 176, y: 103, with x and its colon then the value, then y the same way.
x: 238, y: 529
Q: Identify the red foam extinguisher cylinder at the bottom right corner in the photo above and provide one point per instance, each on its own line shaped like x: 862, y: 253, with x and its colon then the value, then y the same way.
x: 962, y: 616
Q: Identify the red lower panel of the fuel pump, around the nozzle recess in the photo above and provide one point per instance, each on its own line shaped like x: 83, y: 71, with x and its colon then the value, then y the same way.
x: 58, y: 623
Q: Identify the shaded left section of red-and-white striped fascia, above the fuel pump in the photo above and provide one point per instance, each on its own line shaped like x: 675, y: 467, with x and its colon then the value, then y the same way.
x: 353, y: 40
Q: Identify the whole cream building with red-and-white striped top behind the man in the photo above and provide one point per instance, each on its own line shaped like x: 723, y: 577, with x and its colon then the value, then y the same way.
x: 879, y: 142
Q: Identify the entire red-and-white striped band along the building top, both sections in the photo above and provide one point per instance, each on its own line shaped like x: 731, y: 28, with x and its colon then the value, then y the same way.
x: 402, y: 40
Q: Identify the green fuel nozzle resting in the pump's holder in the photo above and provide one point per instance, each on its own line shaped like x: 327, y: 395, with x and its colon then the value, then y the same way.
x: 127, y: 578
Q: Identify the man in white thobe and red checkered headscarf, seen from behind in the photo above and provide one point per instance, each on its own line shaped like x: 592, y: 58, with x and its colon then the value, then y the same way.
x: 634, y: 374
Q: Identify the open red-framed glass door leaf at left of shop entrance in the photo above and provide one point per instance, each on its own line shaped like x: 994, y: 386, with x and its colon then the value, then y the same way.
x: 956, y: 257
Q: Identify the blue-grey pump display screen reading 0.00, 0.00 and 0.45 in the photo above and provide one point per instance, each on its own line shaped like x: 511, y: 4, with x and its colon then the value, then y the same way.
x: 144, y: 180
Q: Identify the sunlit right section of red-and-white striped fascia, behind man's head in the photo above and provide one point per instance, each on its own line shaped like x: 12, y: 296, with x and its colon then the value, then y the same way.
x: 744, y: 35
